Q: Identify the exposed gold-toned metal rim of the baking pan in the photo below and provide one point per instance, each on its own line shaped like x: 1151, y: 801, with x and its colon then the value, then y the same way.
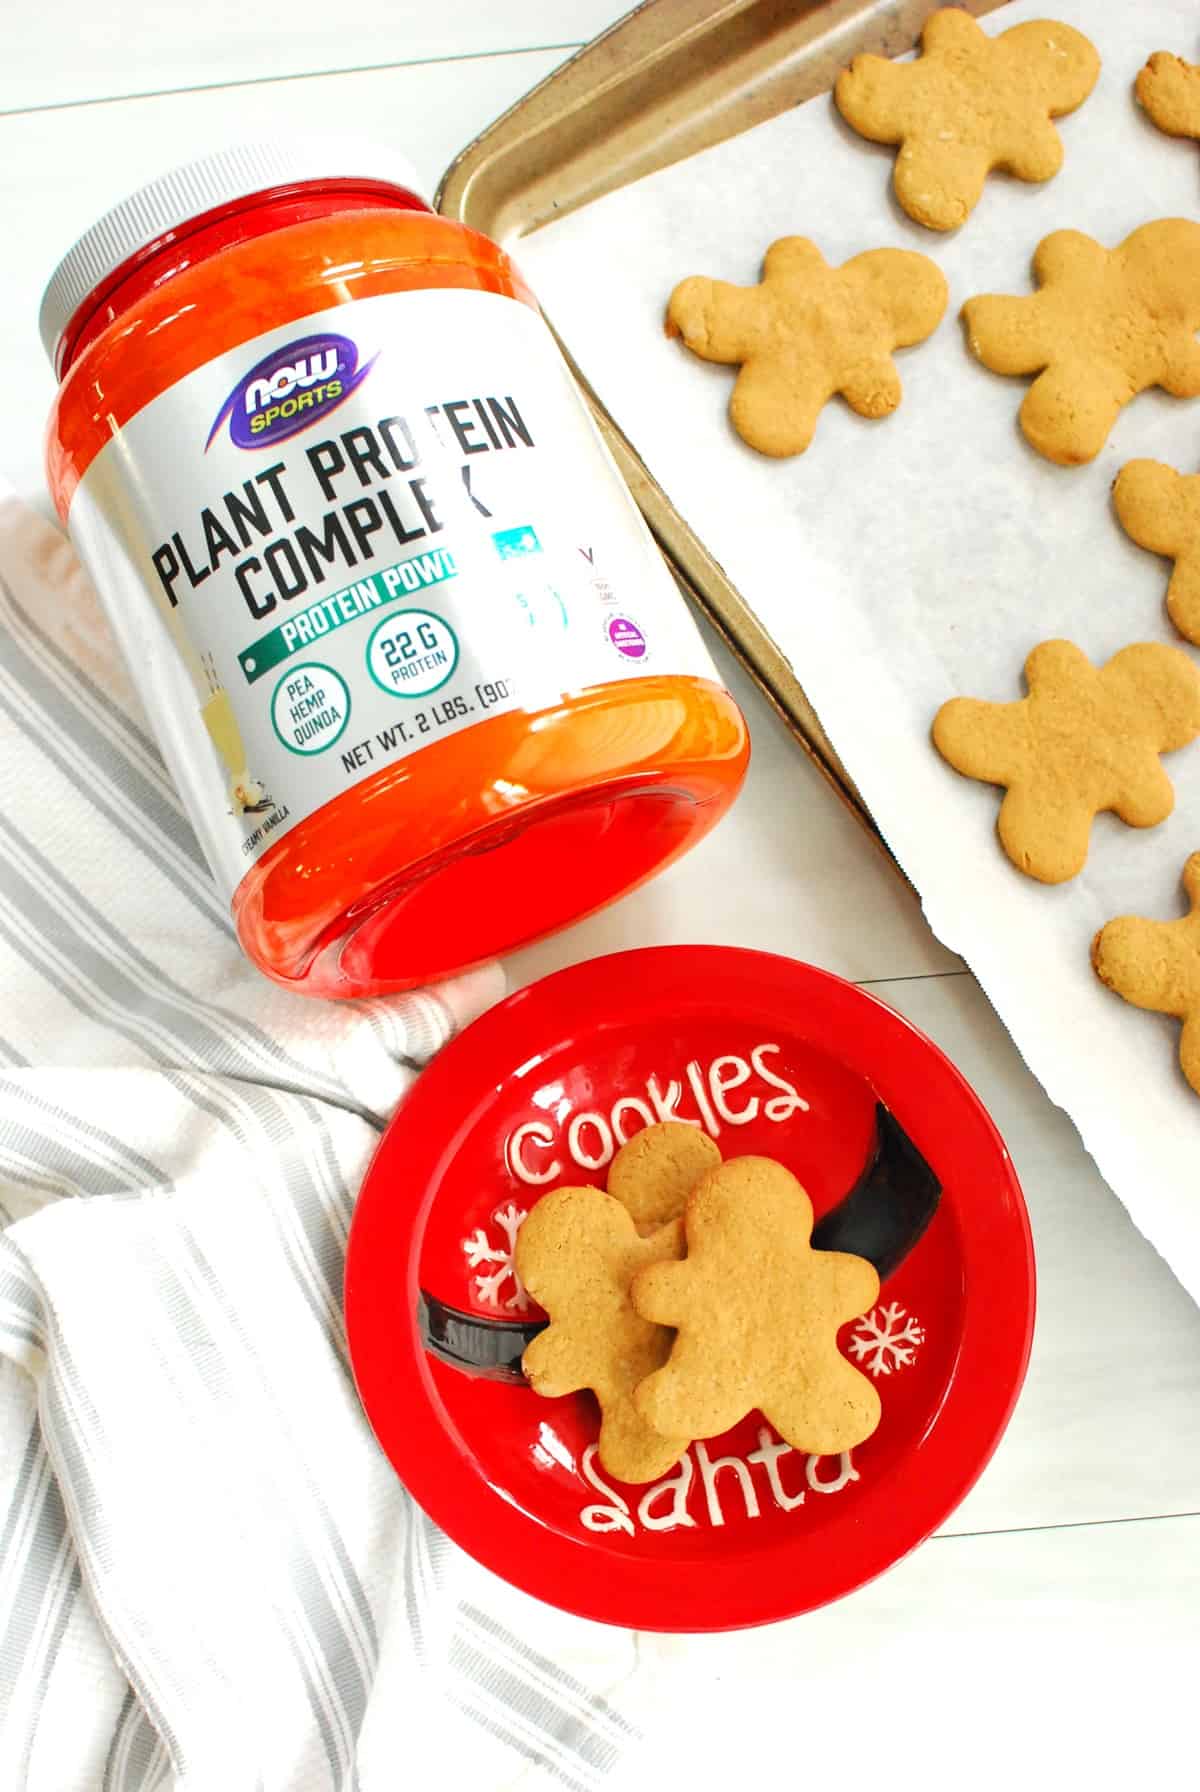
x: 665, y: 82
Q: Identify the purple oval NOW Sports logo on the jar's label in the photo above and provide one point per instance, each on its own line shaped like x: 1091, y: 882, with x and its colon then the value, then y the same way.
x: 289, y: 390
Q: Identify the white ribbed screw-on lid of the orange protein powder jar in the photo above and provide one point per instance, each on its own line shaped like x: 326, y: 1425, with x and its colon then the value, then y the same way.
x: 201, y: 187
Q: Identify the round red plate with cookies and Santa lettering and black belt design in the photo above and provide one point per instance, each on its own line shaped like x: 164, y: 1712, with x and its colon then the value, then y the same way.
x: 773, y: 1058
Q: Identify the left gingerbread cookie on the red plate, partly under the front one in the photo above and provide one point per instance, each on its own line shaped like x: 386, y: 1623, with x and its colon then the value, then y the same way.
x: 578, y: 1254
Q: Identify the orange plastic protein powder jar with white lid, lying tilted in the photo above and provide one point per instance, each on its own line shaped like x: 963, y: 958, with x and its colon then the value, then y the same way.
x: 420, y: 675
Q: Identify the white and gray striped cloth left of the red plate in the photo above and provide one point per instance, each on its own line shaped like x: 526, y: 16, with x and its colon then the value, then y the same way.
x: 210, y: 1580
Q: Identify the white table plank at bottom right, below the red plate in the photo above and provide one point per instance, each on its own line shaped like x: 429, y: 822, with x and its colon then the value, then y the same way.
x: 1034, y: 1660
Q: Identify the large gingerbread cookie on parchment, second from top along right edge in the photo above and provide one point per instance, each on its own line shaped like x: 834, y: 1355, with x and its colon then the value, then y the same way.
x: 1106, y: 325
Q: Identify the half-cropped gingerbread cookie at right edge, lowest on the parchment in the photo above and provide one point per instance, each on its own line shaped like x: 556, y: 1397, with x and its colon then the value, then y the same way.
x: 1156, y: 965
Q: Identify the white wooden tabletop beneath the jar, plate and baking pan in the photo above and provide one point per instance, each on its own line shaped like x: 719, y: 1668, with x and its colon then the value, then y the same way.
x: 1054, y: 1626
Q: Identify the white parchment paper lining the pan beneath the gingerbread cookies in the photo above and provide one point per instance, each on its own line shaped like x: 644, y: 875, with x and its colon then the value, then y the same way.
x: 905, y: 562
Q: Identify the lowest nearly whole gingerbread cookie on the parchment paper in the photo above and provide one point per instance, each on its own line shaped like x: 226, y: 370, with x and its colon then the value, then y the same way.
x: 1086, y: 739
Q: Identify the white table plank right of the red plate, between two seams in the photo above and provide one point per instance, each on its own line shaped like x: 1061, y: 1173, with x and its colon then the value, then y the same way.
x: 1110, y: 1420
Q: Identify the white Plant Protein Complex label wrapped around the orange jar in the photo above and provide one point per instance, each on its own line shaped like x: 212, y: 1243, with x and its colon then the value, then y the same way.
x: 356, y: 537
